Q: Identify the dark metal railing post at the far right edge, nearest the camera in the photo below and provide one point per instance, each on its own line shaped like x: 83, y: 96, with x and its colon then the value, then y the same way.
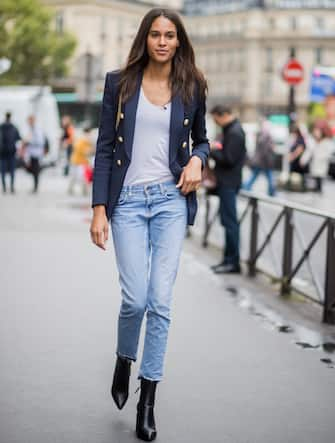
x: 329, y: 303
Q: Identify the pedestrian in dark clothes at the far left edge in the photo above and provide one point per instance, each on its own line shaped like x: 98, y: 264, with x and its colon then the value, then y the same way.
x: 9, y: 136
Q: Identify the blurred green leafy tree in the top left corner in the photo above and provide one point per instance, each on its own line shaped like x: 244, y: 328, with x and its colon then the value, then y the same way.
x: 36, y: 50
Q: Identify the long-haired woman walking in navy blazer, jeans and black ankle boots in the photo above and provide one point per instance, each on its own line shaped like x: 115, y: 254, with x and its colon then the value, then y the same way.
x: 145, y: 180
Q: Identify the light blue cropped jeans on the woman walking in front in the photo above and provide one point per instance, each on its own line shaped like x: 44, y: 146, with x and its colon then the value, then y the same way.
x: 148, y: 227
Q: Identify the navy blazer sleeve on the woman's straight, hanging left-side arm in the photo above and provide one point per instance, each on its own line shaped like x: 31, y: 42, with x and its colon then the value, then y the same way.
x: 105, y: 142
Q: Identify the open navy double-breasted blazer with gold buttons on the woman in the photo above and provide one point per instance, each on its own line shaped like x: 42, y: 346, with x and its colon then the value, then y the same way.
x: 114, y: 148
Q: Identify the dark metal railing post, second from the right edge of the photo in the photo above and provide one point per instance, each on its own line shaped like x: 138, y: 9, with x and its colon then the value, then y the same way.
x: 287, y: 251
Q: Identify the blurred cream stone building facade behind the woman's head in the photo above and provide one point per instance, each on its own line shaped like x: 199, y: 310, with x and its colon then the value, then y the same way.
x: 240, y: 45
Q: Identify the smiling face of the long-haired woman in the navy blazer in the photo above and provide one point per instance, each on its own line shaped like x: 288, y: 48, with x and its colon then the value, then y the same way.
x: 162, y: 40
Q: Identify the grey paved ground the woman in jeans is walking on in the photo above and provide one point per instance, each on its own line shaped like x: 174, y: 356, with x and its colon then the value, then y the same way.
x: 228, y: 378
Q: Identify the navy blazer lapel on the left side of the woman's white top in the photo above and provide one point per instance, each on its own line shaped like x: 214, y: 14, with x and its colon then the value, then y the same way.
x: 130, y: 109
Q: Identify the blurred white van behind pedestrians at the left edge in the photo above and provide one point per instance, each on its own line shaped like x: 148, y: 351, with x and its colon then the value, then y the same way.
x: 22, y: 101
